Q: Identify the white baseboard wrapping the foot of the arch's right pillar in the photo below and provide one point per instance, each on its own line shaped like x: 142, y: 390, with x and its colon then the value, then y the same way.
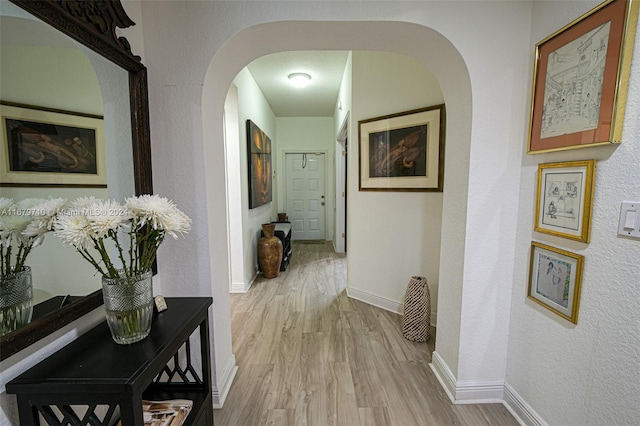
x: 465, y: 392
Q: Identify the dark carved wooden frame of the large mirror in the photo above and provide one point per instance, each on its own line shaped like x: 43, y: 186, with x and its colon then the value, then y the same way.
x: 92, y: 23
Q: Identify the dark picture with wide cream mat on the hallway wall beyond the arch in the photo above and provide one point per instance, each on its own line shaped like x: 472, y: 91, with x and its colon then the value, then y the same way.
x: 403, y: 152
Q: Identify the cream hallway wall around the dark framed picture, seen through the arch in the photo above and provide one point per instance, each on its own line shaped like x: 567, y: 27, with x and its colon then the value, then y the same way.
x: 392, y: 235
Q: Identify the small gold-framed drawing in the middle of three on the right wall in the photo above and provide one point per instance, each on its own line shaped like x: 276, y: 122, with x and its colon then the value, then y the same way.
x: 565, y: 198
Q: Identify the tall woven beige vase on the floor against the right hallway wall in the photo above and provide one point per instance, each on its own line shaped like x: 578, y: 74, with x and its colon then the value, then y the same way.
x: 417, y: 311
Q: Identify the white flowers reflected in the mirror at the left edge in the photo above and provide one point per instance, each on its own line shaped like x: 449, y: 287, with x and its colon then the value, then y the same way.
x: 22, y: 228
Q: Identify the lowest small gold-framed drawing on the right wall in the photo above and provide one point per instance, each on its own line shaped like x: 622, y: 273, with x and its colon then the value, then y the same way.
x: 555, y: 277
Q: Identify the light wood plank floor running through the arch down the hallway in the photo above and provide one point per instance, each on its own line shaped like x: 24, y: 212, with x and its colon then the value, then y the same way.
x: 309, y: 355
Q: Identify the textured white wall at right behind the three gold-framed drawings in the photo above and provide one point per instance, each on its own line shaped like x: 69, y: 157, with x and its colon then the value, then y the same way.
x: 586, y: 373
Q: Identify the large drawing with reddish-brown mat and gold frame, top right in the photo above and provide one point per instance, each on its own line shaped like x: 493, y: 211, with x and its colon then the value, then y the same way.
x: 580, y: 80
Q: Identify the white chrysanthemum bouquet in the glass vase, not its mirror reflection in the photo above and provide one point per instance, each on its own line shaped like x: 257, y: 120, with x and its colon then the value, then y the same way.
x: 120, y: 240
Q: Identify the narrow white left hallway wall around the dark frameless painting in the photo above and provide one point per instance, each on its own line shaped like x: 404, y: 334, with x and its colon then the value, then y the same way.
x: 253, y: 106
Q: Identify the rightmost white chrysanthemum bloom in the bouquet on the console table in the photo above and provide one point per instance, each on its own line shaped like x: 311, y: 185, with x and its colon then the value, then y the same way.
x: 159, y: 213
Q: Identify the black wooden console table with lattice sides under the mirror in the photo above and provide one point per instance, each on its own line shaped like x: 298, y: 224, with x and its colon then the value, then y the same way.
x: 94, y: 381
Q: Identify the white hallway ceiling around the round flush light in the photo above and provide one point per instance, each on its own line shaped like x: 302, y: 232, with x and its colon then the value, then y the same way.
x: 318, y: 98
